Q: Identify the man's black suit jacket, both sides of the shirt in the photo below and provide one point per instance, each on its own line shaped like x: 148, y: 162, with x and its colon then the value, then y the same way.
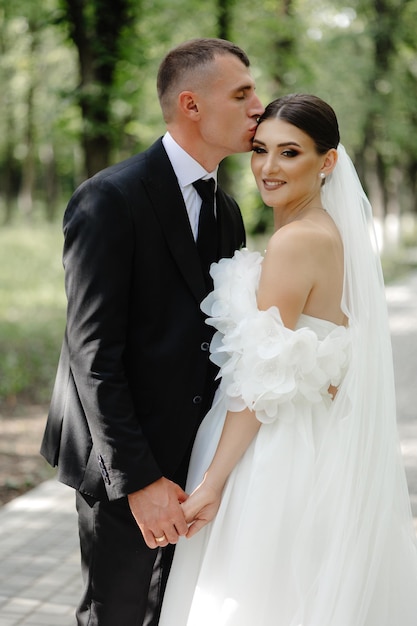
x: 133, y: 380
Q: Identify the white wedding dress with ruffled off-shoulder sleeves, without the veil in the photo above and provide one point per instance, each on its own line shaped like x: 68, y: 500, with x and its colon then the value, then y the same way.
x: 279, y: 552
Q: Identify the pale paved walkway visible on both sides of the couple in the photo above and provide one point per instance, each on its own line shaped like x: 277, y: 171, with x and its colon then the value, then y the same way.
x: 39, y: 559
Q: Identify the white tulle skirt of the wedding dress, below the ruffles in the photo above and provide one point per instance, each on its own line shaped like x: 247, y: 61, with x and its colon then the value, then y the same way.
x: 275, y: 555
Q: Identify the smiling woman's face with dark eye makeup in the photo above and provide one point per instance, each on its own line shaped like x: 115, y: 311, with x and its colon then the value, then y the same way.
x: 286, y: 165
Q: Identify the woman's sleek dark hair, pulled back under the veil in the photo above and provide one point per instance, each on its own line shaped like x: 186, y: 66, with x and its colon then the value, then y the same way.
x: 310, y: 114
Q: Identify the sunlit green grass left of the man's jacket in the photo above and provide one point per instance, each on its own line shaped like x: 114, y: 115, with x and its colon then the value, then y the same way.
x: 32, y: 311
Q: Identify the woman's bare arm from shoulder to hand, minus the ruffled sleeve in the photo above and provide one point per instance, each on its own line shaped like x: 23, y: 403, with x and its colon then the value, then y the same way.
x: 287, y: 280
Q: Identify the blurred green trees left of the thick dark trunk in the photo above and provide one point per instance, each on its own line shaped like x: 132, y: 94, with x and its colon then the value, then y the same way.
x: 35, y: 76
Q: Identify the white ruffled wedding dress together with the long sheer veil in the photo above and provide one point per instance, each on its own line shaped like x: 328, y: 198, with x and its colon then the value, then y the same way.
x: 315, y: 525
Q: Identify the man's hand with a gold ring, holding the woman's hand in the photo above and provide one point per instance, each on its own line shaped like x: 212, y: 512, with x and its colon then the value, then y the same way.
x: 158, y: 513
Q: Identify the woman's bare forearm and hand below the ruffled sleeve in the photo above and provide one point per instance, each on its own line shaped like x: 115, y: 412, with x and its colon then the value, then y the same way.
x: 238, y: 432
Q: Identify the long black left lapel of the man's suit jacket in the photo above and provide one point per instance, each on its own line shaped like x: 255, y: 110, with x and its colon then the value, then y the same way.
x: 168, y: 204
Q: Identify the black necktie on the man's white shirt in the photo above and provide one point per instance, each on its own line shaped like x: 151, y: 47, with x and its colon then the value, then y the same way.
x: 207, y: 227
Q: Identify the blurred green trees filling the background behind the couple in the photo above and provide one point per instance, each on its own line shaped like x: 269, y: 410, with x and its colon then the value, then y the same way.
x: 360, y: 55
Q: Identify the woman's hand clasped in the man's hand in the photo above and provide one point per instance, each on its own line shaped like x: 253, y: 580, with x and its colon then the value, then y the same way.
x: 201, y: 507
